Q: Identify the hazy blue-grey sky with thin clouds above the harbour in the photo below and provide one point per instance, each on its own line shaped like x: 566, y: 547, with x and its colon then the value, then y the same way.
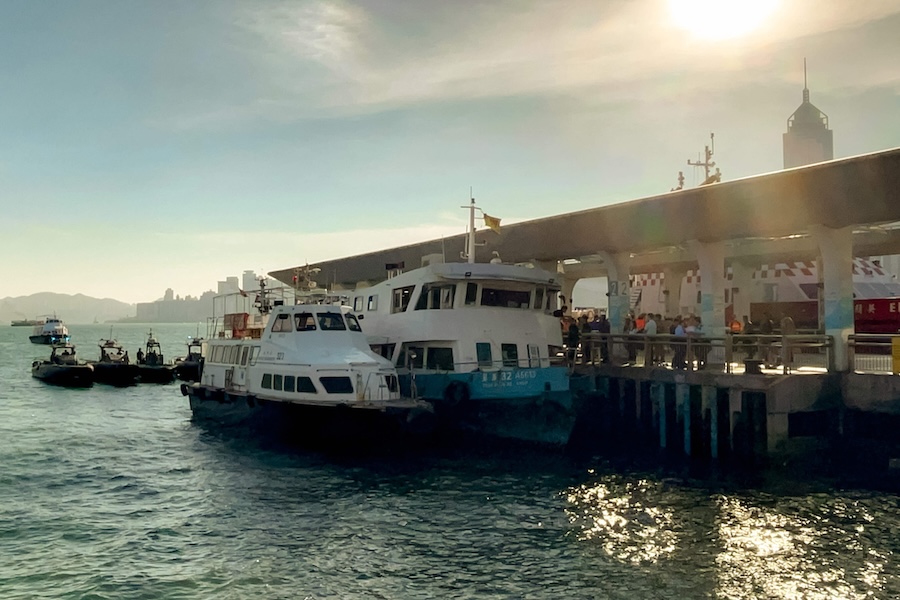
x: 150, y: 145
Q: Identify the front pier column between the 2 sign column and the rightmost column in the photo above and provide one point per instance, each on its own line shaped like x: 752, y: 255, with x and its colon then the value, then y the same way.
x: 711, y: 258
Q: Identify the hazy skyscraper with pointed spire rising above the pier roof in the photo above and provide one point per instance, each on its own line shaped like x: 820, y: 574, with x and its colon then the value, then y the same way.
x: 808, y: 139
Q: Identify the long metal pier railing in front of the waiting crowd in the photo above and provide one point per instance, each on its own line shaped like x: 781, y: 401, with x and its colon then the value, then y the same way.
x: 730, y: 353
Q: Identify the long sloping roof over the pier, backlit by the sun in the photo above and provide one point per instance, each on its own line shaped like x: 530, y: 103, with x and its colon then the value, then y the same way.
x: 768, y: 215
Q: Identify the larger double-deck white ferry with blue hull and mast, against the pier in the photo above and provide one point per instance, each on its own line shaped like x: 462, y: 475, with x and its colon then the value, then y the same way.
x: 476, y: 340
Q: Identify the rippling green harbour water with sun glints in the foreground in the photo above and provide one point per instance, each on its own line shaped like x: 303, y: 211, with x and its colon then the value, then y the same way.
x: 115, y: 493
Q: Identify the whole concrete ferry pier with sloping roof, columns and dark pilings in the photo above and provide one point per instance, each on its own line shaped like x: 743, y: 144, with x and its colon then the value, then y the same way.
x: 830, y: 213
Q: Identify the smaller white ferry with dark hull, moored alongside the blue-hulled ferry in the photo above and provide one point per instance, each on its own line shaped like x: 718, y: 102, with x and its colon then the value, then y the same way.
x: 304, y: 370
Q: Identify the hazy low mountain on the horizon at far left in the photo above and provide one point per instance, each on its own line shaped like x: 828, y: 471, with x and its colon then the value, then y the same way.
x: 71, y: 309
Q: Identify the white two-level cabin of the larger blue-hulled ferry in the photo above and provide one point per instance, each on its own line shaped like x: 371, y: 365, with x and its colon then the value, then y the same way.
x: 463, y: 317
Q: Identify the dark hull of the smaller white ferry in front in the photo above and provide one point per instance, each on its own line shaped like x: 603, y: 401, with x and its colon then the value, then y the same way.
x: 342, y: 426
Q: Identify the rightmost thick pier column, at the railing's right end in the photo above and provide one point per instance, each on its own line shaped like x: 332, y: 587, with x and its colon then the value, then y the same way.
x: 836, y: 272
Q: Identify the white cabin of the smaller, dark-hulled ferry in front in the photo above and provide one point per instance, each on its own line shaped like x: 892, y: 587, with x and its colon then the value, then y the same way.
x: 306, y: 354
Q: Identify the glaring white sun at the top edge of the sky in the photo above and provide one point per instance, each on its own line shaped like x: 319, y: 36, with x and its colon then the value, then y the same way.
x: 720, y: 19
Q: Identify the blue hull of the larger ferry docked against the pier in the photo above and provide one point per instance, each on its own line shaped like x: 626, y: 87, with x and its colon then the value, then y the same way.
x: 531, y: 405
